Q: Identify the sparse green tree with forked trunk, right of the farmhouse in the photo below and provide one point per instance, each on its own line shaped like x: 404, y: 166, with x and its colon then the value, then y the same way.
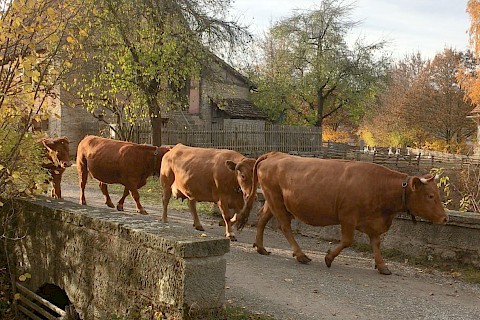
x: 310, y: 72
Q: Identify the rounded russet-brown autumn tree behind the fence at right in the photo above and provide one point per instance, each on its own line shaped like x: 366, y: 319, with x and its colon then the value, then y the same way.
x: 423, y: 105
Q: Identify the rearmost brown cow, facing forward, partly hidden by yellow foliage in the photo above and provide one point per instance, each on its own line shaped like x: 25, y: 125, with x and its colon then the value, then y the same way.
x: 58, y: 159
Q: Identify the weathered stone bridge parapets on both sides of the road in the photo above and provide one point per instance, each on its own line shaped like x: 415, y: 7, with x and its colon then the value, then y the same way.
x: 111, y: 265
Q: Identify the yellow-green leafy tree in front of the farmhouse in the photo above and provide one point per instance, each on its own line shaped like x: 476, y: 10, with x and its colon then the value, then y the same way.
x: 142, y: 54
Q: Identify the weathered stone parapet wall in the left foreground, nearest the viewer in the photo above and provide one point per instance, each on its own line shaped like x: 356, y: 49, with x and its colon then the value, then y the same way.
x: 114, y: 264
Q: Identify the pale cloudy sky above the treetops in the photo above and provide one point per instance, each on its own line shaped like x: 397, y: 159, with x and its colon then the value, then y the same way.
x: 409, y: 26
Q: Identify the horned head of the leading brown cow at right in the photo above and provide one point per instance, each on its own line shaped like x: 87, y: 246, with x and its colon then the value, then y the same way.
x: 423, y: 199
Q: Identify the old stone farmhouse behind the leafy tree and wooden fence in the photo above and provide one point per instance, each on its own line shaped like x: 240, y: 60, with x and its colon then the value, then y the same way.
x: 220, y: 99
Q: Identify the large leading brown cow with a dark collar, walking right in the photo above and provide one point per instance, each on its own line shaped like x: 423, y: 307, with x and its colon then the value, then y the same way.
x: 356, y: 195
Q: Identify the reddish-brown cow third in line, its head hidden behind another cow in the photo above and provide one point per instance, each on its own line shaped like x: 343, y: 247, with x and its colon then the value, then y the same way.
x: 112, y: 161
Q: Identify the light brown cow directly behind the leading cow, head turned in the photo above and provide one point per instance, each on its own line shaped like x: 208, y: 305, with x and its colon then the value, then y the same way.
x: 213, y: 175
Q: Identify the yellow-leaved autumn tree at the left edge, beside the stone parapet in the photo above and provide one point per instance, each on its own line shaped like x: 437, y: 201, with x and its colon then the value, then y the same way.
x: 37, y: 41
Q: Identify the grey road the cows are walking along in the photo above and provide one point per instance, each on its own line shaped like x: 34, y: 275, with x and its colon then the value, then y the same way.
x: 279, y: 286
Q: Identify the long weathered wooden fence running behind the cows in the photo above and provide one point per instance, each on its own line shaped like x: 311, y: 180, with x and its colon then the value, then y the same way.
x: 305, y: 141
